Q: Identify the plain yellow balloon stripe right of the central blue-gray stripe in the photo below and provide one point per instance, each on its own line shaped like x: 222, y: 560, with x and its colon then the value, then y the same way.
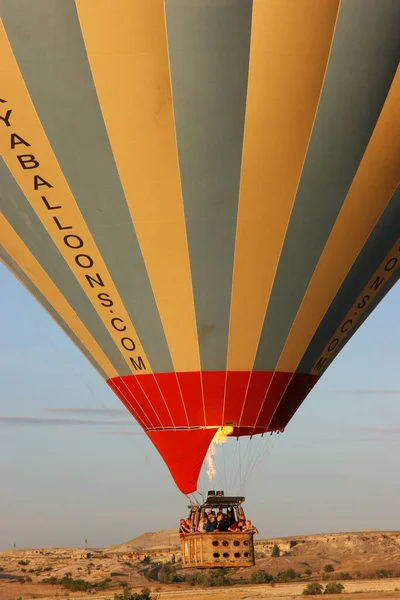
x: 290, y: 46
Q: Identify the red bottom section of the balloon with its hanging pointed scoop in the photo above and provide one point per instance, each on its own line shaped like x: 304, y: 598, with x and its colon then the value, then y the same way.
x: 165, y: 404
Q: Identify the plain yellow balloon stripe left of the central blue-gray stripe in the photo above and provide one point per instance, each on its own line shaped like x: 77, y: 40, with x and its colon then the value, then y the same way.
x: 132, y: 80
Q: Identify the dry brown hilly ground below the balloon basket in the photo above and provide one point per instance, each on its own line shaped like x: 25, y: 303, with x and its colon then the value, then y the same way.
x: 357, y: 555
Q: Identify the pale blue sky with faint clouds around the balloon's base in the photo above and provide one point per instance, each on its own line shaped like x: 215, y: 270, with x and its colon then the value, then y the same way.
x: 74, y: 464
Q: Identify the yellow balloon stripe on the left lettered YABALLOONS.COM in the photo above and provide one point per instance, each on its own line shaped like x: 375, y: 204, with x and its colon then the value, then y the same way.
x: 30, y: 158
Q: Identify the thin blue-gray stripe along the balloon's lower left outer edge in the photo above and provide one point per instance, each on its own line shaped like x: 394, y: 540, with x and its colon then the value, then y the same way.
x: 31, y: 287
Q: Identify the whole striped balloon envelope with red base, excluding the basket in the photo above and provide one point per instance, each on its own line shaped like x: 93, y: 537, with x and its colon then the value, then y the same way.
x: 204, y: 195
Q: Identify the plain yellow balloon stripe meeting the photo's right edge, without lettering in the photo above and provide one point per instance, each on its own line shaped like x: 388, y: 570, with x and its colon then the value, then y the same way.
x: 373, y: 185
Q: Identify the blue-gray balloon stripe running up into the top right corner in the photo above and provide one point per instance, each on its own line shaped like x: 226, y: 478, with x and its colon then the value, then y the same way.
x: 362, y: 64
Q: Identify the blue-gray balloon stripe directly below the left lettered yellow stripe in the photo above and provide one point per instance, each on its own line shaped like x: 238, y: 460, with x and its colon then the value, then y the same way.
x: 23, y: 219
